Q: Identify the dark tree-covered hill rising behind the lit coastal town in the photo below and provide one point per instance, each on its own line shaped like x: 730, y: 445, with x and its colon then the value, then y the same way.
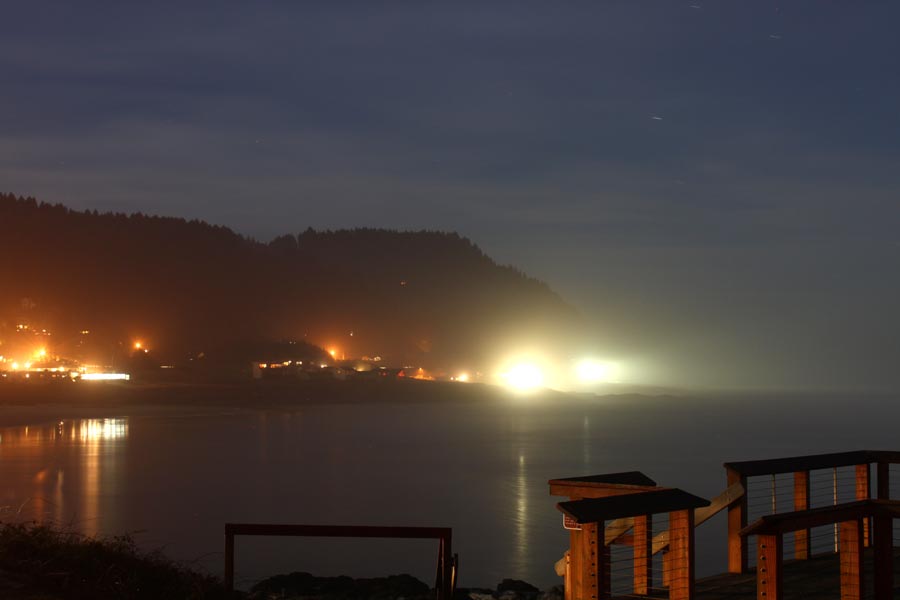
x: 424, y: 297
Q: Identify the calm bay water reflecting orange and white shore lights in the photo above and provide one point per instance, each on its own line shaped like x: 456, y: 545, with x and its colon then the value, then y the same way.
x: 175, y: 479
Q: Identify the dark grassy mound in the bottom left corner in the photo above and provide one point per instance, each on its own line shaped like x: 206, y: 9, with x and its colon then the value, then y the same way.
x: 42, y: 562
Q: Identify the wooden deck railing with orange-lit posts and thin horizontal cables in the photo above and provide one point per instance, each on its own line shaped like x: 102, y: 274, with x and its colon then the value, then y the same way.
x: 623, y: 546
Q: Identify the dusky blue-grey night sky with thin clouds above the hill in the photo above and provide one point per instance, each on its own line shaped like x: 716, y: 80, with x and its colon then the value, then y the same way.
x: 714, y: 184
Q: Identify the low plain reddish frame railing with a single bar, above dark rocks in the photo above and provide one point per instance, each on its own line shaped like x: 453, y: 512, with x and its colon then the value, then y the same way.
x: 447, y: 563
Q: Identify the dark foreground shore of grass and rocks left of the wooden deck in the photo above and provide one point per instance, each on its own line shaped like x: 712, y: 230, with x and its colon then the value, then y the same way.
x: 41, y: 562
